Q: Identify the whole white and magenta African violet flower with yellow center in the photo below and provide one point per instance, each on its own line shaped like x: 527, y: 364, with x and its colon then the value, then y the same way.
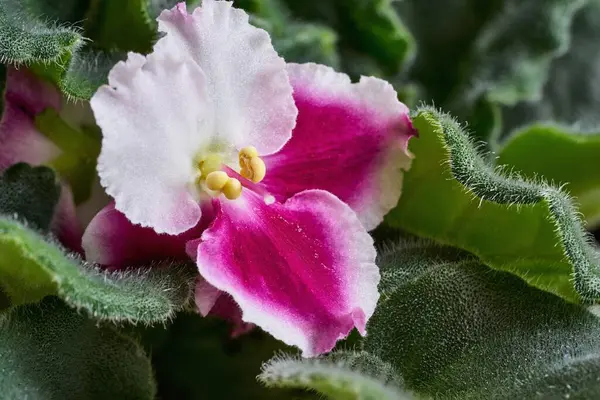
x: 287, y: 165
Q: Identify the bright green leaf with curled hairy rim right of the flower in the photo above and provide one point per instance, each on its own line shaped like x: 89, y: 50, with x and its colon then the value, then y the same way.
x: 452, y: 195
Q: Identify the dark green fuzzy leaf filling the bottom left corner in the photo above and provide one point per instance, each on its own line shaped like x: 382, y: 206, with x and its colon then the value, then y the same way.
x: 49, y: 351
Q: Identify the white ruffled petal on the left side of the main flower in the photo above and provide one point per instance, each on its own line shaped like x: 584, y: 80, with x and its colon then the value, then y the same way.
x: 152, y: 115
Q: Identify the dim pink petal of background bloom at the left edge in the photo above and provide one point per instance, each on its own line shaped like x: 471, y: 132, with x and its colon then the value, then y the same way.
x: 25, y: 97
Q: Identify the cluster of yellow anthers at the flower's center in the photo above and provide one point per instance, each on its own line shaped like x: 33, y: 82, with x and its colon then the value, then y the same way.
x: 218, y: 178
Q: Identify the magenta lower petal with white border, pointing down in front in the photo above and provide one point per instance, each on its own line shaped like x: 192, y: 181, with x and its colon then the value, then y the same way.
x: 304, y: 271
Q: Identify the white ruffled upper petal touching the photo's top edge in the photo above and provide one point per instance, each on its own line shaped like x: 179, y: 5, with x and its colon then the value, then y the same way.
x: 247, y: 80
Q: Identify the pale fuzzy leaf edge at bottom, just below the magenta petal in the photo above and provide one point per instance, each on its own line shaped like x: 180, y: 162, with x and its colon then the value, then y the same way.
x: 341, y: 375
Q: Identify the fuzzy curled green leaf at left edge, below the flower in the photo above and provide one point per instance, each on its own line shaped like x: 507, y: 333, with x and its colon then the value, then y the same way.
x: 32, y: 267
